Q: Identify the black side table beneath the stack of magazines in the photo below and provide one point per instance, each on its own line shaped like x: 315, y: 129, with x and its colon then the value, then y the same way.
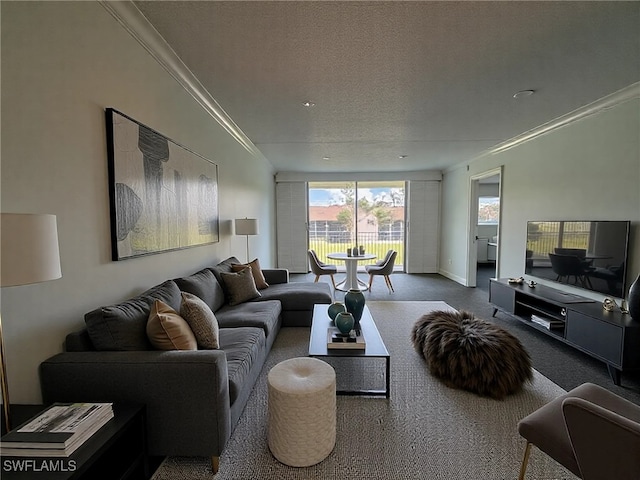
x: 118, y: 451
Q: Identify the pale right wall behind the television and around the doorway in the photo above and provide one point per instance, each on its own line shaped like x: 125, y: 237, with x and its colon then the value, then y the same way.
x: 586, y: 170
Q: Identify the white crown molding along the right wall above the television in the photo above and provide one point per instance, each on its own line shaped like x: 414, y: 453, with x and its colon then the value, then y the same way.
x: 601, y: 105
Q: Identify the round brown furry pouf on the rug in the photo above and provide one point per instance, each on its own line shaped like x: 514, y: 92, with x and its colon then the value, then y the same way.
x: 472, y: 354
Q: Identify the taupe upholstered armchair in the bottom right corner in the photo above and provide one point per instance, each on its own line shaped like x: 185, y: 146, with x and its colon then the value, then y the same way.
x: 590, y: 431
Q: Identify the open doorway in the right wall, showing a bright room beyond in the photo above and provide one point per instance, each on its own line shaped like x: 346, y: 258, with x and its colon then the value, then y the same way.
x: 484, y: 228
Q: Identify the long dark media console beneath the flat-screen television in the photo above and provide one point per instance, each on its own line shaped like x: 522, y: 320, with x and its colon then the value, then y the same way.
x: 611, y: 337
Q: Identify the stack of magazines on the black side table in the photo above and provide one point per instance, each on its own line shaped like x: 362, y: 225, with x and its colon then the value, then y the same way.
x: 56, y: 432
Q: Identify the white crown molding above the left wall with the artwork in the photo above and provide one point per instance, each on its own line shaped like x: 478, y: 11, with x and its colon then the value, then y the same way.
x: 134, y: 22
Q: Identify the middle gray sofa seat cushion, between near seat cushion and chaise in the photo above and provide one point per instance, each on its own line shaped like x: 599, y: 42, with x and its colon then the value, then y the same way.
x: 265, y: 315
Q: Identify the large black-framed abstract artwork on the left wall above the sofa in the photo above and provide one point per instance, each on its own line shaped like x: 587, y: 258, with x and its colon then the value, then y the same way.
x: 163, y: 196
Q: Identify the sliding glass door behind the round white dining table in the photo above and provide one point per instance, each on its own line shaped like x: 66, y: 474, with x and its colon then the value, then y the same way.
x: 343, y: 215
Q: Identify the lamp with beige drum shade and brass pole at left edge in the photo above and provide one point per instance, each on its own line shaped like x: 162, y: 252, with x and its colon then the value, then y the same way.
x: 29, y: 254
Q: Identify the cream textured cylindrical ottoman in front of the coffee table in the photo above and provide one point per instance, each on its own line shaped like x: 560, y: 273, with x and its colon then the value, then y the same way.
x: 302, y: 411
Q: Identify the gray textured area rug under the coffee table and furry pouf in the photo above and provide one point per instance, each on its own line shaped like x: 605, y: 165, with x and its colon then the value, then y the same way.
x: 425, y: 430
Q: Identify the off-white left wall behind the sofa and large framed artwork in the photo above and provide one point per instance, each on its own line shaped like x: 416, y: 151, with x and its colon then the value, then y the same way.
x: 63, y: 63
